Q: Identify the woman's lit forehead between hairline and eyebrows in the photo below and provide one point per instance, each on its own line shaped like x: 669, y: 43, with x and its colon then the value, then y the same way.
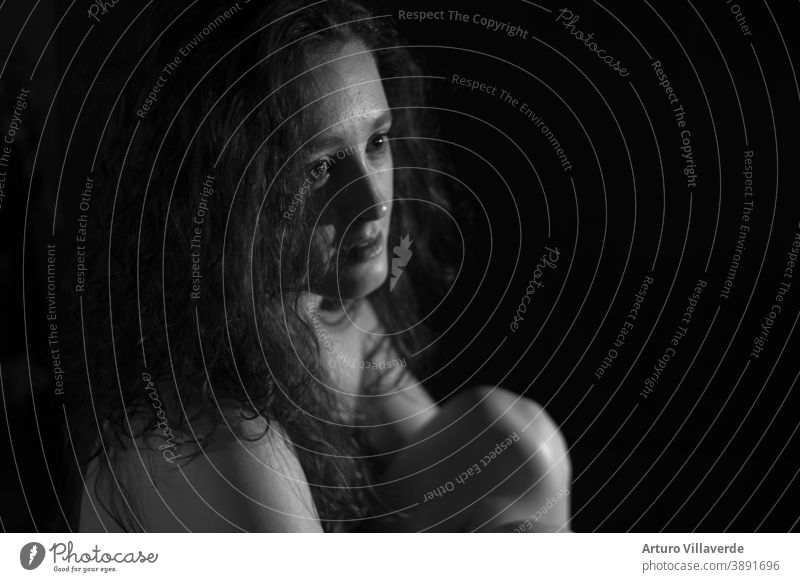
x: 346, y: 87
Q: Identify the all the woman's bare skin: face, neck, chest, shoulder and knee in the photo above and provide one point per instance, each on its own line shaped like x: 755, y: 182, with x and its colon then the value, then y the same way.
x: 235, y: 485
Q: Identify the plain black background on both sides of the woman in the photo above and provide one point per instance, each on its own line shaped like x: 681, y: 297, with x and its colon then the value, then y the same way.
x: 714, y: 446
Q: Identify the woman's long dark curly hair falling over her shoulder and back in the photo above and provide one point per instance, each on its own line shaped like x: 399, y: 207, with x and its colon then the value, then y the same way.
x: 244, y: 340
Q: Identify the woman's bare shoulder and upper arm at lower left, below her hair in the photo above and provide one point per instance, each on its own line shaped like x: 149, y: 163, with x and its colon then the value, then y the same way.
x: 245, y: 478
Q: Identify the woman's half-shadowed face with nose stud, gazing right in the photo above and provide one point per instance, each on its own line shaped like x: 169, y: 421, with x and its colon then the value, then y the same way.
x: 350, y: 168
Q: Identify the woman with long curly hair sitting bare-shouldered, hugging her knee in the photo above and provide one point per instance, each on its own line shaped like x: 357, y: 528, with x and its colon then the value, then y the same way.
x: 251, y: 364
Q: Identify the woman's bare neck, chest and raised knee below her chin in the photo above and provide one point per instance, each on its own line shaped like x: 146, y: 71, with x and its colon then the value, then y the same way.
x: 430, y: 445
